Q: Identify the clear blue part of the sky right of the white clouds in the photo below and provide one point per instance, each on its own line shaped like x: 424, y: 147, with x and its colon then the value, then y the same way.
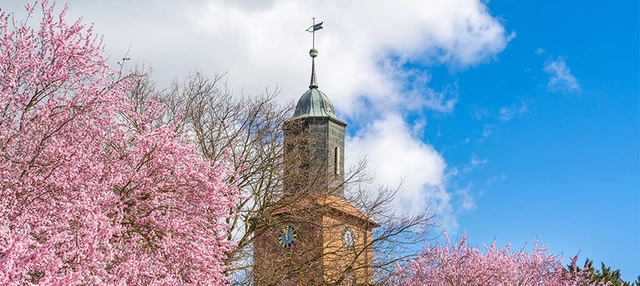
x: 567, y: 162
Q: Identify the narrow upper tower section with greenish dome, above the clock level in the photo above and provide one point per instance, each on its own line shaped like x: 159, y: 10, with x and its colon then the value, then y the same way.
x: 314, y: 142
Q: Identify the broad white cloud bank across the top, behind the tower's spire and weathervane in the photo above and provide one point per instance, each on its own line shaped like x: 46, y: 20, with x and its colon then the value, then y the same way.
x: 263, y: 43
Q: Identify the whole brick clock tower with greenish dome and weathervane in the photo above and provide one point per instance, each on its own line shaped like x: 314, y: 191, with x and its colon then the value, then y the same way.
x: 316, y: 236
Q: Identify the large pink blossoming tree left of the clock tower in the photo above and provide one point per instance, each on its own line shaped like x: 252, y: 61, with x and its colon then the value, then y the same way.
x: 92, y: 190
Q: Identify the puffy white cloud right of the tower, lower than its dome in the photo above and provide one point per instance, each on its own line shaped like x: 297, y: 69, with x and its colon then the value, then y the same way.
x: 396, y: 156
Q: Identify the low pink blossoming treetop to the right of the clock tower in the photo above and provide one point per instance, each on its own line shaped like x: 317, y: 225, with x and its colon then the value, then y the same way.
x: 461, y: 264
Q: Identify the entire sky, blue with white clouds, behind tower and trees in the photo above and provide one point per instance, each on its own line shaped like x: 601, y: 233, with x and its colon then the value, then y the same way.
x: 511, y: 119
